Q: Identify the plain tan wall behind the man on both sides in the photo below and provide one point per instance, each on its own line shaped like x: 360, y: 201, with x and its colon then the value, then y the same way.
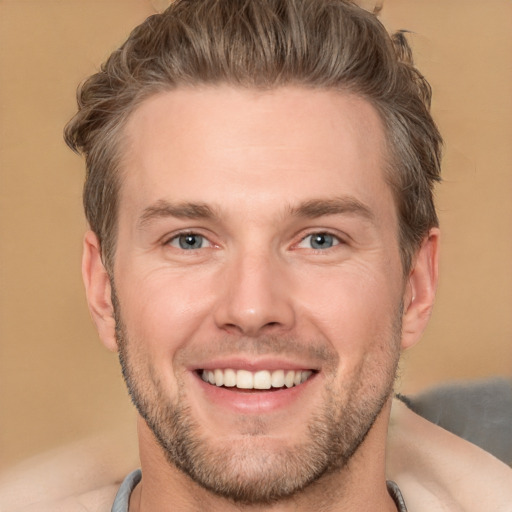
x: 57, y: 383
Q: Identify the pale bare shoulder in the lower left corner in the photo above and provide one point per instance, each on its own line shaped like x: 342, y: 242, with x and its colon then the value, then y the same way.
x: 82, y: 476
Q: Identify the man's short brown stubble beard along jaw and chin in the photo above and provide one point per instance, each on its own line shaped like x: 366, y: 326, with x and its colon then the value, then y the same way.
x: 248, y: 472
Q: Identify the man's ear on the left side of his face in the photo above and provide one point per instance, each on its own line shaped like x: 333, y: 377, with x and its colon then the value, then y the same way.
x: 98, y: 291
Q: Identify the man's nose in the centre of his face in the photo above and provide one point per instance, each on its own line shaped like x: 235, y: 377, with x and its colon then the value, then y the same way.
x: 256, y: 297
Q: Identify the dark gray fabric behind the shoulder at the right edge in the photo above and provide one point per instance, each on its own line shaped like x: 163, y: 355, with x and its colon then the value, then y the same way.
x: 478, y: 411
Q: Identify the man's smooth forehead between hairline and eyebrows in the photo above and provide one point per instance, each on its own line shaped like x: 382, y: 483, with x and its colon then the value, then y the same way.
x: 235, y: 146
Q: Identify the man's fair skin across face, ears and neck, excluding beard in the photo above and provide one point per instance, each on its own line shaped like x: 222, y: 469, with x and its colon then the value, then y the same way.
x: 273, y: 168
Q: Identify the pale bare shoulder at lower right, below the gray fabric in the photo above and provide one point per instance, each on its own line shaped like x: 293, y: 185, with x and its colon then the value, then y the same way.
x: 437, y: 470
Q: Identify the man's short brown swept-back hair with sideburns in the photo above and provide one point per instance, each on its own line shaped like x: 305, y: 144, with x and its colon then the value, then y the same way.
x: 263, y: 44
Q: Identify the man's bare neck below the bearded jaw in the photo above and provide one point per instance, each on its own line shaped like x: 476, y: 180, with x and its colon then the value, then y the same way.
x: 359, y: 486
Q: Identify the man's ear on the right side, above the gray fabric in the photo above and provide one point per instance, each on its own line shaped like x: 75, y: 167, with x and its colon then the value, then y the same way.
x: 420, y: 290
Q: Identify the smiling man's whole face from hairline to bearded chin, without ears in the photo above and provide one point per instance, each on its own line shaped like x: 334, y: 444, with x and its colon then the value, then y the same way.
x: 257, y: 247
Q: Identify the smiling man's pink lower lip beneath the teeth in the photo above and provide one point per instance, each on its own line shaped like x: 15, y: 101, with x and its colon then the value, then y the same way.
x: 254, y: 401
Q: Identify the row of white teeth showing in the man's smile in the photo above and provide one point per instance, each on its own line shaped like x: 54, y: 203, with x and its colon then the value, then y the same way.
x: 262, y: 379
